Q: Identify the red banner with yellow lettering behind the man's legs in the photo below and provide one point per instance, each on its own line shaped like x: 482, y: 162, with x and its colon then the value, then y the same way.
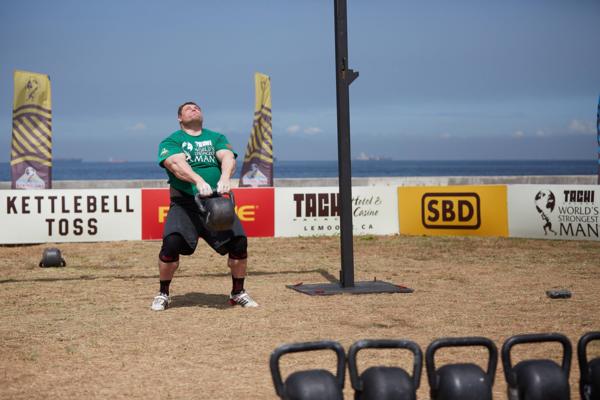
x: 255, y: 207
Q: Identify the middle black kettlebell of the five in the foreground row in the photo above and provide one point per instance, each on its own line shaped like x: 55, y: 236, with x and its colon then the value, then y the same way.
x: 466, y: 381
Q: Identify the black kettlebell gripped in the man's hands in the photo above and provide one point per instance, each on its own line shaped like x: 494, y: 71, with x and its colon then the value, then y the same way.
x: 217, y: 211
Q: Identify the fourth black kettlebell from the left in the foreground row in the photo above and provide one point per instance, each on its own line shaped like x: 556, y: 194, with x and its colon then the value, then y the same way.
x: 537, y: 379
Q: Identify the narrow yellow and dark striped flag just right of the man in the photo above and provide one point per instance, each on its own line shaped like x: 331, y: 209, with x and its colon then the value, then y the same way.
x: 258, y: 161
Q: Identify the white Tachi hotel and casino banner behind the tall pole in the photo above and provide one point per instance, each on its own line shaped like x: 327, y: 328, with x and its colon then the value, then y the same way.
x: 309, y: 211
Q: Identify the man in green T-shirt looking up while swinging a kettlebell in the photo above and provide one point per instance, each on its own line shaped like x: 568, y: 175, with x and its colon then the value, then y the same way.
x: 199, y: 164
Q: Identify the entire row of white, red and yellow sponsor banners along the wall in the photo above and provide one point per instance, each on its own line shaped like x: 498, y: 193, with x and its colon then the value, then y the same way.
x: 528, y: 211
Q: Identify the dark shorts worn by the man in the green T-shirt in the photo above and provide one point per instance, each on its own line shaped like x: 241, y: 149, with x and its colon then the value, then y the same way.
x: 184, y: 218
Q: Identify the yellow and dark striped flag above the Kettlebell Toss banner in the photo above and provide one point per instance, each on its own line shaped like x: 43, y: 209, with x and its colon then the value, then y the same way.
x: 31, y: 152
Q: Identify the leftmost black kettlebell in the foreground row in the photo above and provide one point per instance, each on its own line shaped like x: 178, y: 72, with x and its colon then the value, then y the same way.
x: 314, y: 384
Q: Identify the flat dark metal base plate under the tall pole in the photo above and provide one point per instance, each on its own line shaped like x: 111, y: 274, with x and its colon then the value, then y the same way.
x: 327, y: 289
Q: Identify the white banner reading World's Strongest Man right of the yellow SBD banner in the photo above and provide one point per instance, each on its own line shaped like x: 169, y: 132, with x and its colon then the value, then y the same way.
x: 554, y: 211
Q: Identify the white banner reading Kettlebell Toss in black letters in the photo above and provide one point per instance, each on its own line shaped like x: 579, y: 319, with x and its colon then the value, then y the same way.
x: 41, y: 216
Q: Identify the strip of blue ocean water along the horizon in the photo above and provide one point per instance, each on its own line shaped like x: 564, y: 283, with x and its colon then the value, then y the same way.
x: 83, y: 170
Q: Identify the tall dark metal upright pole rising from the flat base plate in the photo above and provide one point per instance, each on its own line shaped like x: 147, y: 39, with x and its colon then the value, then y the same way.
x: 344, y: 77
